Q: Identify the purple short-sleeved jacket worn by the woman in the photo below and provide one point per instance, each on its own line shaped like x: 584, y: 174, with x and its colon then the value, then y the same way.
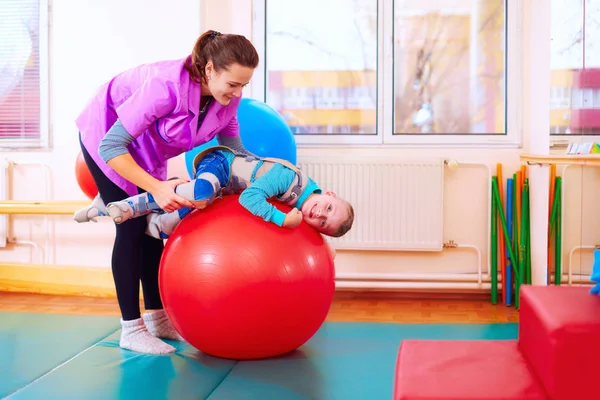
x: 158, y: 105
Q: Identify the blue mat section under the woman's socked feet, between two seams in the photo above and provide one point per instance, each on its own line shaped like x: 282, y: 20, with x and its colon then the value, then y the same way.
x: 108, y: 372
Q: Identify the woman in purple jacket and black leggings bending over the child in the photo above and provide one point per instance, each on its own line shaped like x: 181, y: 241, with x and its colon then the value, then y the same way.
x: 133, y: 125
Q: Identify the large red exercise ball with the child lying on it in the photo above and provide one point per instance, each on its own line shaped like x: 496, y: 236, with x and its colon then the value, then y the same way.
x: 237, y: 287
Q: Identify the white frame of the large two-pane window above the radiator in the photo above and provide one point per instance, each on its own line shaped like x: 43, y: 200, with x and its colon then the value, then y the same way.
x: 385, y: 87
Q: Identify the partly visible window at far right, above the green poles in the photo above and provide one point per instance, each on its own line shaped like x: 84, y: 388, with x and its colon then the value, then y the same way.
x: 575, y: 67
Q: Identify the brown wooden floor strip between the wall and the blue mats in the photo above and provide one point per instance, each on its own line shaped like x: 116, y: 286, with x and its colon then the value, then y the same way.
x: 347, y: 307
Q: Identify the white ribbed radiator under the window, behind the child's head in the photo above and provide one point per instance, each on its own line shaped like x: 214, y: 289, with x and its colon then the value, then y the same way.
x: 398, y: 203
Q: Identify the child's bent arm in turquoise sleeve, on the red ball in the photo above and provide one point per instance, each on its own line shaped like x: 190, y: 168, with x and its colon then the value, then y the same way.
x: 273, y: 183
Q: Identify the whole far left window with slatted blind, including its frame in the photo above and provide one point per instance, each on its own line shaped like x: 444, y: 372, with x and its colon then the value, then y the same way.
x: 23, y: 77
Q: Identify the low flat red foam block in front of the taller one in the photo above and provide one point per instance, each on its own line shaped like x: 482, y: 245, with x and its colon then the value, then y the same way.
x: 457, y: 370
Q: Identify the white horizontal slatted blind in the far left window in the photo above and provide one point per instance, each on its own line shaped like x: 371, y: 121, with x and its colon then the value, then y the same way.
x: 19, y: 69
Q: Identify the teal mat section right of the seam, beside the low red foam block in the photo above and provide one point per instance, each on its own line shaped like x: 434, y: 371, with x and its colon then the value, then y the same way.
x: 343, y: 361
